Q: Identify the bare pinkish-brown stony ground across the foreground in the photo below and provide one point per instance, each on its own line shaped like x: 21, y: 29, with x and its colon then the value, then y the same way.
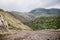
x: 32, y: 35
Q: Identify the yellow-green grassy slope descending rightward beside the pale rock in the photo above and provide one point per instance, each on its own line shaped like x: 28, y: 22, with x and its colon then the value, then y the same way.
x: 13, y: 22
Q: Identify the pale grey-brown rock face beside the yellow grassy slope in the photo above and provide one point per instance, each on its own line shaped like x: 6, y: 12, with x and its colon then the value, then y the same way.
x: 3, y: 24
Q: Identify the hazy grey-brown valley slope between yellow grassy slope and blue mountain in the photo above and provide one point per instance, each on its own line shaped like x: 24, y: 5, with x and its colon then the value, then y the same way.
x: 25, y: 17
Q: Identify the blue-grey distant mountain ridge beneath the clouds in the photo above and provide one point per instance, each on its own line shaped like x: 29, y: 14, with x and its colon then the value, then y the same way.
x: 38, y: 11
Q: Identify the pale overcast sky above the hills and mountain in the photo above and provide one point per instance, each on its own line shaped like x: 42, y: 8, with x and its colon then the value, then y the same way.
x: 27, y: 5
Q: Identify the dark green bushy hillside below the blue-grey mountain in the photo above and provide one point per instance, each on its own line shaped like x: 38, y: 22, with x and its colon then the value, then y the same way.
x: 46, y: 22
